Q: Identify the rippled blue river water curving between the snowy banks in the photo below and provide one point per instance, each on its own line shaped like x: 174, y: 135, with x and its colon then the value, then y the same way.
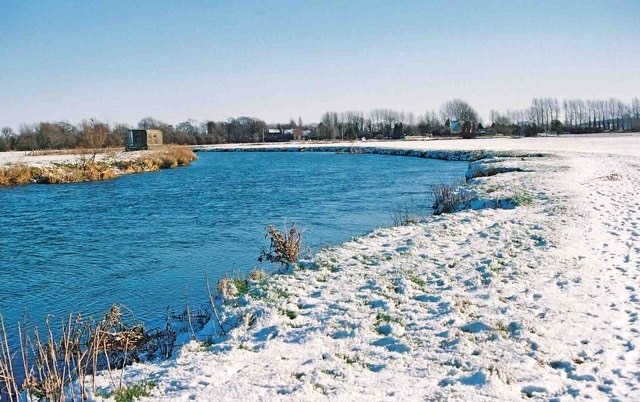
x: 146, y: 240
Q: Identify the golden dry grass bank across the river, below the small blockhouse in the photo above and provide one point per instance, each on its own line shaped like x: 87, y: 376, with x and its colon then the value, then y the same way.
x: 88, y: 169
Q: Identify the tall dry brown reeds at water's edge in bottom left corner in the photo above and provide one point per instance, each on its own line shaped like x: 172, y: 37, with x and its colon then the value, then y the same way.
x: 50, y: 363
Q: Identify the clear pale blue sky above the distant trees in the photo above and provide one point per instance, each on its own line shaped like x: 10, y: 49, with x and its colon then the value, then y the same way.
x: 121, y: 61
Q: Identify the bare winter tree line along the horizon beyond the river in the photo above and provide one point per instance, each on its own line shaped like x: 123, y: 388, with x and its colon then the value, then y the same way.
x: 455, y: 117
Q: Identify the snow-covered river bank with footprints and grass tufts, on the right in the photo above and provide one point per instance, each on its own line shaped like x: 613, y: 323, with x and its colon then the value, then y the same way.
x: 537, y: 301
